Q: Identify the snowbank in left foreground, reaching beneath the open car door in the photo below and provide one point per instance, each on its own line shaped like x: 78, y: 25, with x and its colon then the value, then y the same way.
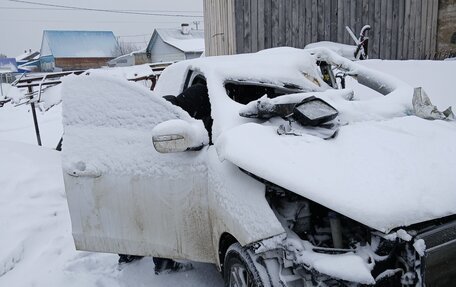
x: 37, y: 245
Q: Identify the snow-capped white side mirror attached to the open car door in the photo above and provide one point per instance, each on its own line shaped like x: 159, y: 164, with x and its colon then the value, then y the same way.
x: 179, y: 135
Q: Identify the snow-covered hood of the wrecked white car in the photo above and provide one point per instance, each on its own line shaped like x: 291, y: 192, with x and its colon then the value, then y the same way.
x: 384, y: 174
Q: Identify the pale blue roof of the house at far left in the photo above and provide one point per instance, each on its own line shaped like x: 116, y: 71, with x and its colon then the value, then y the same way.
x: 79, y: 44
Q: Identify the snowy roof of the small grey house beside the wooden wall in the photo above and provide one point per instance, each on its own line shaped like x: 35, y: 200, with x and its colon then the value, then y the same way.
x: 191, y: 42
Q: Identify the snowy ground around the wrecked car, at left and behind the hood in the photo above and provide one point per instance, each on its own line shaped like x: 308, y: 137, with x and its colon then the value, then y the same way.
x: 36, y: 247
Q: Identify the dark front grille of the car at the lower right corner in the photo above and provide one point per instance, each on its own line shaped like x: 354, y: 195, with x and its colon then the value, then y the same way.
x: 439, y: 262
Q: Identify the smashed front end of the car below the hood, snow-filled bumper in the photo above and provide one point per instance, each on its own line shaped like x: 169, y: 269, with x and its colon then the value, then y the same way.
x: 425, y: 257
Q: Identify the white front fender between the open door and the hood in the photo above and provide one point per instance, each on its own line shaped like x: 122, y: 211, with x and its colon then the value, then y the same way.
x: 237, y: 205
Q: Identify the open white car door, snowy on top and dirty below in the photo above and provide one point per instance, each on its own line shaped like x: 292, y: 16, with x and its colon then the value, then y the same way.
x: 124, y: 197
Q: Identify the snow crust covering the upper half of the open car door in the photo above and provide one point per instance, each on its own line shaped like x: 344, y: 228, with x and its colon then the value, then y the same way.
x: 118, y: 138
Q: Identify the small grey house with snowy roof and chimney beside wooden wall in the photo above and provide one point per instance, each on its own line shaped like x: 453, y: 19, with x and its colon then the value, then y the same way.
x: 168, y: 45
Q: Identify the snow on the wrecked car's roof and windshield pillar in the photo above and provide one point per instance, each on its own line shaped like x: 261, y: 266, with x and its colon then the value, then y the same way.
x: 275, y: 66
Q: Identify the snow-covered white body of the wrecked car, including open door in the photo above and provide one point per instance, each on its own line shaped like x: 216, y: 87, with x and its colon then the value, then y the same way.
x: 124, y: 197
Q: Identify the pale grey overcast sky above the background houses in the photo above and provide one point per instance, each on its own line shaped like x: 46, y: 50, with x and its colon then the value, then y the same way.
x: 22, y: 24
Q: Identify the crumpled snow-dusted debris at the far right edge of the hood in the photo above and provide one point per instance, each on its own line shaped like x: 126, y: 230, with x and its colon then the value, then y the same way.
x: 423, y: 107
